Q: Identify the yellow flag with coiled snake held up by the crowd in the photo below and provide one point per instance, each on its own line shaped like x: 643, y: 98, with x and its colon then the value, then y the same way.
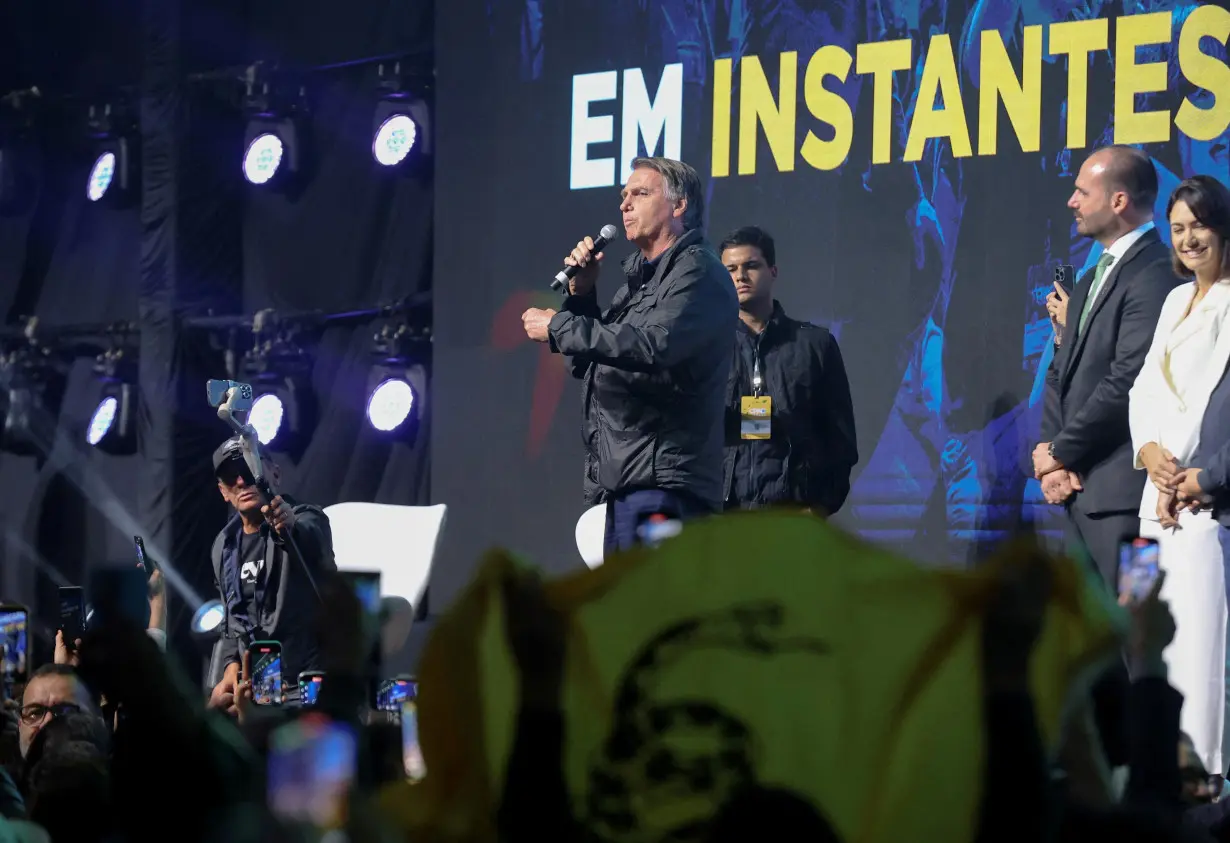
x: 763, y: 649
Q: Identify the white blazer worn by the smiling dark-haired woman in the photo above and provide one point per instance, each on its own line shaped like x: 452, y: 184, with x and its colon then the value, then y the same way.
x: 1185, y: 364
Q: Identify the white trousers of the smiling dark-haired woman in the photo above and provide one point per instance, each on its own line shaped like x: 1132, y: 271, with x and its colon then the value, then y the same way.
x: 1196, y: 591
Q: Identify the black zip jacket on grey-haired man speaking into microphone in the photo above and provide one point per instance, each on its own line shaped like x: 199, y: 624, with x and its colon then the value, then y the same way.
x: 655, y: 367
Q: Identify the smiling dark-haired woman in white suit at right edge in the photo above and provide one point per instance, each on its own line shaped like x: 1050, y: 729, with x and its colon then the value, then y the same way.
x: 1168, y: 408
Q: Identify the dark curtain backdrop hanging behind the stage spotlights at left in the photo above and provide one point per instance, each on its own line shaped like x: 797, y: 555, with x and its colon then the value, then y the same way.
x: 204, y: 243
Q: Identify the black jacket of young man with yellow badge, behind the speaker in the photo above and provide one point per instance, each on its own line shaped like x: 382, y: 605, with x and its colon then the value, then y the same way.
x: 812, y: 447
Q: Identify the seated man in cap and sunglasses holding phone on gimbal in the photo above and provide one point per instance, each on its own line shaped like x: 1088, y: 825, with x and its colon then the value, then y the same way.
x: 268, y: 595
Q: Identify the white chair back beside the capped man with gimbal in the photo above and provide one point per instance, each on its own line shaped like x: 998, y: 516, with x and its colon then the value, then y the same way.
x: 398, y: 541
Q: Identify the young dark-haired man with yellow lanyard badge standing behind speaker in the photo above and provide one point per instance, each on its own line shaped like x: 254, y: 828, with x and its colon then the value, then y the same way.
x: 790, y: 435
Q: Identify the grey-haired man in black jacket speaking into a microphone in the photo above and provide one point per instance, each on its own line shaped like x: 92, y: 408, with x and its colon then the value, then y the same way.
x: 655, y: 364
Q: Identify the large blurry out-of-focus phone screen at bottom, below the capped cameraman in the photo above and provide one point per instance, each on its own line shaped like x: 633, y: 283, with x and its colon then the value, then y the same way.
x: 312, y: 770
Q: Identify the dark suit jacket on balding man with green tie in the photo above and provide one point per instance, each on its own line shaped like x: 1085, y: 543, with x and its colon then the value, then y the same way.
x: 1087, y: 412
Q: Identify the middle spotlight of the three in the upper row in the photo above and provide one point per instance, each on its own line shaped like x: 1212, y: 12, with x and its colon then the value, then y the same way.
x: 274, y: 143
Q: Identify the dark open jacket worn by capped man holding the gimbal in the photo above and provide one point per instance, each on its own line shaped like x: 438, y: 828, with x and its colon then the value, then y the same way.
x: 291, y: 609
